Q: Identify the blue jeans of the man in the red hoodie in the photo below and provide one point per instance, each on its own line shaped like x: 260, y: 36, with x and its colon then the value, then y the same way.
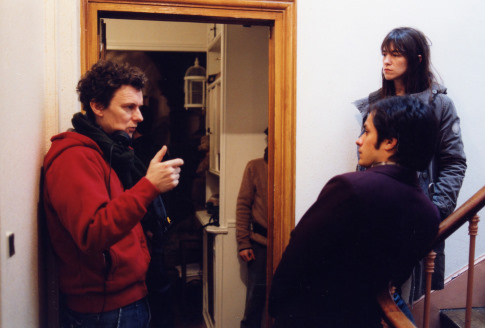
x: 134, y: 315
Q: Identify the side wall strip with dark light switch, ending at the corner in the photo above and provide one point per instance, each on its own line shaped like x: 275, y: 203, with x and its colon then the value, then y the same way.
x: 21, y: 97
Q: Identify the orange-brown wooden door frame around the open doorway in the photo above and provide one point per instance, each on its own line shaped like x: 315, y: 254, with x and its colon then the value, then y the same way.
x: 281, y: 16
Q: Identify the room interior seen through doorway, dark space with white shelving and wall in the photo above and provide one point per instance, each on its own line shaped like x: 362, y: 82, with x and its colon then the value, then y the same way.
x: 229, y: 119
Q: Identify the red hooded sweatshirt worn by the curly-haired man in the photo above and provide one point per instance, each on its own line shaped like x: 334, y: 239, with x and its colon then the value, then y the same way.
x: 89, y: 229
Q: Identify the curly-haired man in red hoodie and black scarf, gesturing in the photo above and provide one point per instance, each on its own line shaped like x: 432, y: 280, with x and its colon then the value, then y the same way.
x: 96, y: 192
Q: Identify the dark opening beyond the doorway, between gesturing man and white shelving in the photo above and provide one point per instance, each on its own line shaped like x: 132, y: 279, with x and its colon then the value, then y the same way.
x: 167, y: 122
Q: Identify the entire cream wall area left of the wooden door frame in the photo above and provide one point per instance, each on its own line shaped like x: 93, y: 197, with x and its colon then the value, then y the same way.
x: 39, y: 66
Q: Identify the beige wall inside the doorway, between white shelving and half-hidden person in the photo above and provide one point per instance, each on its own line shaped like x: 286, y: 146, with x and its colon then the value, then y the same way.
x: 245, y: 117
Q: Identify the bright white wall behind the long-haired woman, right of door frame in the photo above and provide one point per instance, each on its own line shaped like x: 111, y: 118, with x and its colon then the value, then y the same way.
x: 339, y: 61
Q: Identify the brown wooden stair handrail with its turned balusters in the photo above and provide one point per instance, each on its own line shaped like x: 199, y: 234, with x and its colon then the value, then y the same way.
x: 466, y: 212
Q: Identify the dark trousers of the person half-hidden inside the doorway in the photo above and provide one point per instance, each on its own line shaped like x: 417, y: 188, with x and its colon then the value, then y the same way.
x: 256, y: 289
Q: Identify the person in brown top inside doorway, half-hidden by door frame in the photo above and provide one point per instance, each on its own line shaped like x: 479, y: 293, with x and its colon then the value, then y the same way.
x: 251, y: 232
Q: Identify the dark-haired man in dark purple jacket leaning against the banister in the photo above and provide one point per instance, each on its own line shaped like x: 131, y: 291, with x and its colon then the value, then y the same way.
x: 365, y: 229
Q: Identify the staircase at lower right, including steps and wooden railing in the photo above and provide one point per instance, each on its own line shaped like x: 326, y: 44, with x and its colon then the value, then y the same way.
x: 458, y: 292
